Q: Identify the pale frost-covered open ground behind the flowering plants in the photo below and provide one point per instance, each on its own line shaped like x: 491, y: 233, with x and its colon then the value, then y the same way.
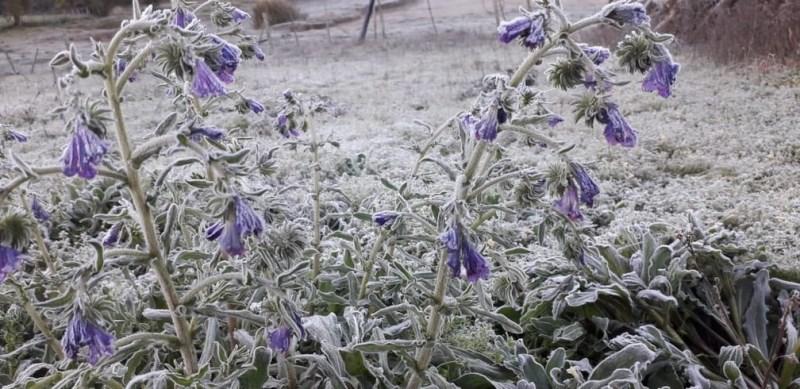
x: 725, y: 146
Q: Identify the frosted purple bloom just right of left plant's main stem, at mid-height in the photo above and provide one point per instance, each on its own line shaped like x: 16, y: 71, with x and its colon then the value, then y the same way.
x: 239, y: 222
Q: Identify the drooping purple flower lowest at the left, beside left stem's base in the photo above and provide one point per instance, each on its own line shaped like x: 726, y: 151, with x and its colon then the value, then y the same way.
x: 82, y: 332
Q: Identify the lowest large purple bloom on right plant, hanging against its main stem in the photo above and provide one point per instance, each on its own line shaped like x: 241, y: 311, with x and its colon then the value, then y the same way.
x: 461, y: 253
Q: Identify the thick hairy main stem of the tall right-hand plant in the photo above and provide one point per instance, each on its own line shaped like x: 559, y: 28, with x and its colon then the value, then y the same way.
x: 463, y: 183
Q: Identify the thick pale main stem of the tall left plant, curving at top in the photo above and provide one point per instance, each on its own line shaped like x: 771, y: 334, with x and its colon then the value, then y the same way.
x: 145, y: 218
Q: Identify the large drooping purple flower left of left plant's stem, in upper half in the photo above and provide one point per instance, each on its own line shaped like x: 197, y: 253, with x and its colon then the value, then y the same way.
x: 84, y: 152
